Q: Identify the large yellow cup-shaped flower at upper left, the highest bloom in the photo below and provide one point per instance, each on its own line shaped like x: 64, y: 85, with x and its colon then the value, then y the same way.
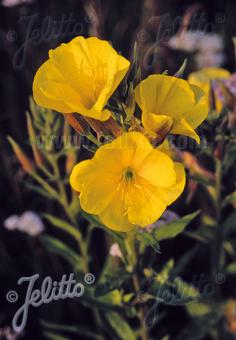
x: 80, y: 77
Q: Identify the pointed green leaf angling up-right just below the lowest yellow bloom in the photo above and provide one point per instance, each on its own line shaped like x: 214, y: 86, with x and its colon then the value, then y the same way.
x: 174, y: 228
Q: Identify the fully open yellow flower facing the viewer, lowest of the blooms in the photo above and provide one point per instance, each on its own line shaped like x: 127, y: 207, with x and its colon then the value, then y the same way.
x: 128, y: 183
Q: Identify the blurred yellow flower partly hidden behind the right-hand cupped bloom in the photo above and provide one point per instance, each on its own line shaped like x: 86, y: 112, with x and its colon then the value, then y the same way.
x: 204, y: 77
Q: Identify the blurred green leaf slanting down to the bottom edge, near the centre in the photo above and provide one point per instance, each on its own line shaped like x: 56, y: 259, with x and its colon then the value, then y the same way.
x: 120, y: 326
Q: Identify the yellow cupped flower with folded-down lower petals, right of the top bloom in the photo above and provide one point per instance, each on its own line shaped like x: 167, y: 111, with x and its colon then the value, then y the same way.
x: 170, y: 105
